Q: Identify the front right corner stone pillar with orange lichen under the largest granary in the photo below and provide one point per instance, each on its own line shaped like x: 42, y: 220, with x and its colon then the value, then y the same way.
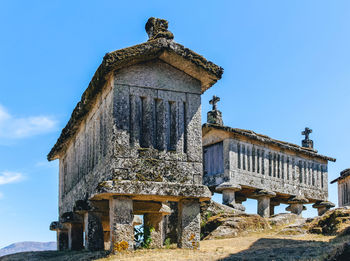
x: 189, y: 223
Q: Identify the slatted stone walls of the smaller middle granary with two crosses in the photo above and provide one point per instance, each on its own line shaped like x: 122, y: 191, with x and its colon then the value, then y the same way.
x: 264, y: 167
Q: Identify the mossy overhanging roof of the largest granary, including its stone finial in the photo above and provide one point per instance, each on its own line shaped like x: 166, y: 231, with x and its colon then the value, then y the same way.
x: 159, y: 46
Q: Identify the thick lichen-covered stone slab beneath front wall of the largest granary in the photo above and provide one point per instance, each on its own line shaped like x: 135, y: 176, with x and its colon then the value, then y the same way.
x: 151, y: 191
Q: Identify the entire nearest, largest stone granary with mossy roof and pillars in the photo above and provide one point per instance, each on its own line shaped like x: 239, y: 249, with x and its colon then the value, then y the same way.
x: 133, y: 144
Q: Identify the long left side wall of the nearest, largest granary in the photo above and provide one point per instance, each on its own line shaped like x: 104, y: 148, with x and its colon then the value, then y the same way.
x: 85, y: 162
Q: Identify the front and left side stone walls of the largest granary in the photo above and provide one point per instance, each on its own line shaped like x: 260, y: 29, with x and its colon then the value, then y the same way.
x: 137, y: 131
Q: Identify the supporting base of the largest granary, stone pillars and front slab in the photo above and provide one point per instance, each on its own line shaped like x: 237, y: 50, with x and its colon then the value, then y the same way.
x: 107, y: 219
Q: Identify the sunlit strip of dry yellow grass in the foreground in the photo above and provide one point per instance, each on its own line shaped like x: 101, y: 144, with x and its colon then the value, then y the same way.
x: 224, y: 248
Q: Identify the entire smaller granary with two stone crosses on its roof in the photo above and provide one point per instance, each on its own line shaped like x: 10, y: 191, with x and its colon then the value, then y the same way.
x: 242, y: 164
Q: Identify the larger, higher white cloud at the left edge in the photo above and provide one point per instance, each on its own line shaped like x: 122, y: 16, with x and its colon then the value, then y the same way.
x: 12, y: 127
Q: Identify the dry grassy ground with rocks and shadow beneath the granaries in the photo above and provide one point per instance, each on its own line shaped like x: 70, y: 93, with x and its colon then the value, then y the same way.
x: 229, y: 235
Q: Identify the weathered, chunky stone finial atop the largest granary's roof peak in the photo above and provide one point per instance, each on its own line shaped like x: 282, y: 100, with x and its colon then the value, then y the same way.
x: 158, y: 28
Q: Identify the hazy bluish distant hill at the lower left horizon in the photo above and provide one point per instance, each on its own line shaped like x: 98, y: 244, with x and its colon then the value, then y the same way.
x: 27, y: 246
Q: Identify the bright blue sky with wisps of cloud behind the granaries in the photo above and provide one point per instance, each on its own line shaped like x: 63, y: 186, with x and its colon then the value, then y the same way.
x: 286, y: 64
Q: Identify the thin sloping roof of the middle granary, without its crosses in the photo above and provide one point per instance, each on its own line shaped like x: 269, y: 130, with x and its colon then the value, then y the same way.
x: 265, y: 139
